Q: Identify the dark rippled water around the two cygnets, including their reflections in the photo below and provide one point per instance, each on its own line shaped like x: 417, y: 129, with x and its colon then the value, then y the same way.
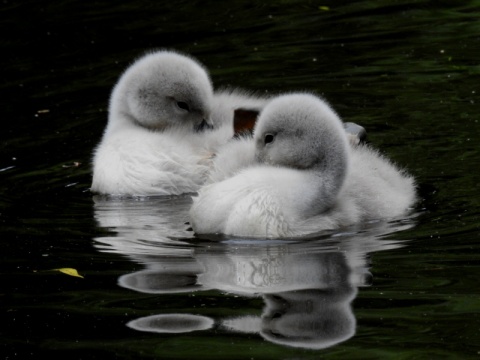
x: 406, y: 70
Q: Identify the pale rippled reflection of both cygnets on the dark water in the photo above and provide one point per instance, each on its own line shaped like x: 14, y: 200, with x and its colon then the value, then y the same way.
x: 307, y: 286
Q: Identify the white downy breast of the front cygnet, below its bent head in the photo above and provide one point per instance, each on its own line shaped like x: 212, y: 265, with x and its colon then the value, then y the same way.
x: 260, y: 201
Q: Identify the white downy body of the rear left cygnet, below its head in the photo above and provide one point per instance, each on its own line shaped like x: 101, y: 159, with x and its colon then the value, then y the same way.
x: 143, y: 163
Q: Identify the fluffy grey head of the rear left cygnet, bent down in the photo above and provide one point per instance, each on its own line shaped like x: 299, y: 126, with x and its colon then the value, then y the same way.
x: 162, y: 90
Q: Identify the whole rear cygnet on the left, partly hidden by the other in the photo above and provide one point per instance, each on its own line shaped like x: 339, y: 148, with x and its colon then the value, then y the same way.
x: 165, y: 122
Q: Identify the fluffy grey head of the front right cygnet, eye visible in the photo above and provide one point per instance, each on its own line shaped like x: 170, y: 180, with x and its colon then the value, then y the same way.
x: 301, y: 131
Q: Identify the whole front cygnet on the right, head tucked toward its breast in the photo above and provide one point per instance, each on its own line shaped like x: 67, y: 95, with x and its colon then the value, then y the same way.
x: 299, y: 175
